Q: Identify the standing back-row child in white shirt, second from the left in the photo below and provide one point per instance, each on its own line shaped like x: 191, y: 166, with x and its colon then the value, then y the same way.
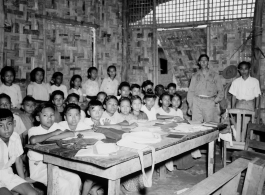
x: 39, y: 90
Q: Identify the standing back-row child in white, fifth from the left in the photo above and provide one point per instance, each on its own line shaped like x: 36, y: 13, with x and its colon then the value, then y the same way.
x: 91, y: 86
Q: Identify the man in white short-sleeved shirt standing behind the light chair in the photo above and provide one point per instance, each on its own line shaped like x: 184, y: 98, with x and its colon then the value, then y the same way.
x: 245, y: 89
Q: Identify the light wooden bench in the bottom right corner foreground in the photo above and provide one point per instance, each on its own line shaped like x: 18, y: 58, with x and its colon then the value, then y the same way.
x: 226, y: 181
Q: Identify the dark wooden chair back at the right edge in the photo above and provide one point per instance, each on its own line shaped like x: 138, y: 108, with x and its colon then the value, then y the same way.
x: 251, y: 142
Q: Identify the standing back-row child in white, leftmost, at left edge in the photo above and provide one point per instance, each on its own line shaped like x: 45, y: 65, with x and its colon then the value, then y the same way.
x: 8, y: 76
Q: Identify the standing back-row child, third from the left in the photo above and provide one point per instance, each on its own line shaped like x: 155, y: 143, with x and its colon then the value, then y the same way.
x: 56, y: 83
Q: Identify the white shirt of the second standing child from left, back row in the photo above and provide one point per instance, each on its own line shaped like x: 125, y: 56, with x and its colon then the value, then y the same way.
x: 39, y: 91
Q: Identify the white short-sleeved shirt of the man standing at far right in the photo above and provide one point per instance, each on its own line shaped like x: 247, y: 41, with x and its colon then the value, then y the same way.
x: 247, y: 89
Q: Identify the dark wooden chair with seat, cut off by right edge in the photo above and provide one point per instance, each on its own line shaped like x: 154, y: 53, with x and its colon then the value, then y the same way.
x: 252, y: 144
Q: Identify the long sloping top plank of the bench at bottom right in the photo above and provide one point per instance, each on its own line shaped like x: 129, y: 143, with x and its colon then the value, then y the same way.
x: 214, y: 182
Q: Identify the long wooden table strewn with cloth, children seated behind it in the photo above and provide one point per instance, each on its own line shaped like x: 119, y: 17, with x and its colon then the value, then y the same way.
x: 125, y: 162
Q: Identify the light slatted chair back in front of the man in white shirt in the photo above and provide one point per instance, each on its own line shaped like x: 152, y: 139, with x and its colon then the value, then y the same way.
x: 241, y: 122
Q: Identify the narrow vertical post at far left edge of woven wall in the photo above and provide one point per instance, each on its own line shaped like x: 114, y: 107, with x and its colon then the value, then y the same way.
x: 2, y: 33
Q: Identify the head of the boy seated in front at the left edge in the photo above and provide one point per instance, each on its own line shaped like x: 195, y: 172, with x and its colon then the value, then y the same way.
x: 7, y: 124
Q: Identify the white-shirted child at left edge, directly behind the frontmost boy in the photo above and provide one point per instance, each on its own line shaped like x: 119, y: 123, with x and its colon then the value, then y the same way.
x: 5, y: 102
